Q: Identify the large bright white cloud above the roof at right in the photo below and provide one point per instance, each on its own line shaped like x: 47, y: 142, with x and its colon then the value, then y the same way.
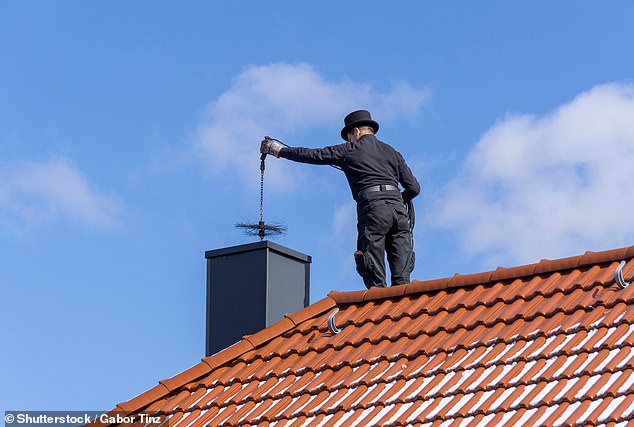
x: 553, y: 186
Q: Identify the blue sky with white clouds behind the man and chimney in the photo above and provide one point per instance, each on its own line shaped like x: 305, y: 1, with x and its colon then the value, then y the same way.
x: 129, y: 137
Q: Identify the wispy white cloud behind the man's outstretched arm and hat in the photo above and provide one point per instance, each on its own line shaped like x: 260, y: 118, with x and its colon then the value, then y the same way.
x: 282, y: 100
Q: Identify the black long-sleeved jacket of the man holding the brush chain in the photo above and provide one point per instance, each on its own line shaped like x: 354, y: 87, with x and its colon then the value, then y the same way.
x: 366, y: 162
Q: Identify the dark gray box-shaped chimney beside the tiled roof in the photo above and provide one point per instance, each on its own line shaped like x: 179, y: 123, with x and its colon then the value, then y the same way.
x: 250, y: 287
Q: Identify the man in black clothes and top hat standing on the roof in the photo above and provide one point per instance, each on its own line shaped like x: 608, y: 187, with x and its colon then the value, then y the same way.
x: 373, y: 169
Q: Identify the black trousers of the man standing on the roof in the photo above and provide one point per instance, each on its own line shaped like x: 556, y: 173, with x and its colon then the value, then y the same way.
x: 383, y: 228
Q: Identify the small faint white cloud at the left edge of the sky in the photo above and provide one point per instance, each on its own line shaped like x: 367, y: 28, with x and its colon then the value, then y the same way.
x: 33, y: 193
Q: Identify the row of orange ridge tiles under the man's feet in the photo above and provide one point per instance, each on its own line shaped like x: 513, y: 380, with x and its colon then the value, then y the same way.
x: 497, y: 275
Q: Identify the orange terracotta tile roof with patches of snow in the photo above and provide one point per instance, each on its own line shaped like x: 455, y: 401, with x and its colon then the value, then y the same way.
x: 550, y: 343
